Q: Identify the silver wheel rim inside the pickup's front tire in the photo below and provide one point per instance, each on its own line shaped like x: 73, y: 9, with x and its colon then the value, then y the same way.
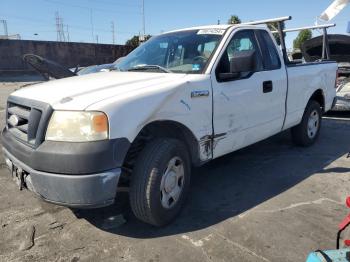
x: 172, y: 183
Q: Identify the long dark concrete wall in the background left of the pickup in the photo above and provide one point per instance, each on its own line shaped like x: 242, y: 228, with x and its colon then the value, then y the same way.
x: 67, y: 54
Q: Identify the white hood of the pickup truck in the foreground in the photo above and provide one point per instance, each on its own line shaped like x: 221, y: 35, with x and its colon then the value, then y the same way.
x: 77, y: 93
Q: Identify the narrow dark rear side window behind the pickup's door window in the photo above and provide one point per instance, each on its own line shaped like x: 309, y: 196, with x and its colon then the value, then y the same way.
x: 271, y: 58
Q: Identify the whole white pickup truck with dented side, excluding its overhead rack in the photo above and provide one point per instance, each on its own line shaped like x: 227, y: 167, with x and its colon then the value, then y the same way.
x: 179, y: 100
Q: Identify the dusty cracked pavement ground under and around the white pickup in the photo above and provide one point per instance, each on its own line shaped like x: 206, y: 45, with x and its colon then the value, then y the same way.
x: 269, y: 202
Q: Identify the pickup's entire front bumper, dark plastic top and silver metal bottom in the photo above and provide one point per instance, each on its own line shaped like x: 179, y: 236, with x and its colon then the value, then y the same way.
x: 80, y: 175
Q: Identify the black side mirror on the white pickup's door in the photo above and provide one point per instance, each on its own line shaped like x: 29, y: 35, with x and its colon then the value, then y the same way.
x: 243, y: 62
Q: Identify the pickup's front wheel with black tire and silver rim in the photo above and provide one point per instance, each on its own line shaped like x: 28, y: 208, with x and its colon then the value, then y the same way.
x: 156, y: 181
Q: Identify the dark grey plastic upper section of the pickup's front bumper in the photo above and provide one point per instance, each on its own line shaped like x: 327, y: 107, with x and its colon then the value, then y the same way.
x: 66, y: 157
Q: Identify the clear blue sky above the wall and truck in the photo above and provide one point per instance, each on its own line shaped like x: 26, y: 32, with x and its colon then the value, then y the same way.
x: 30, y: 17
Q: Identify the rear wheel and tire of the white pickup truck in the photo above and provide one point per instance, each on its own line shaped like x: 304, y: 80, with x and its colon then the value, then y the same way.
x: 307, y: 132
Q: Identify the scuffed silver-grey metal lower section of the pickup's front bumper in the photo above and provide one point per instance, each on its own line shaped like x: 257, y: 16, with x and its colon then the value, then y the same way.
x: 77, y: 191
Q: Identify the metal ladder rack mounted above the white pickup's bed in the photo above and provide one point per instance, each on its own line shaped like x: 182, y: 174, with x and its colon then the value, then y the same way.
x: 281, y: 32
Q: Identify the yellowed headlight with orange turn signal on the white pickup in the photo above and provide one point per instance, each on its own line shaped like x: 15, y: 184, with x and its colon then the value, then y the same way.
x: 74, y: 126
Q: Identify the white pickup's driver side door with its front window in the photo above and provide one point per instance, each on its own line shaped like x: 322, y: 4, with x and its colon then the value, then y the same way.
x: 244, y: 111
